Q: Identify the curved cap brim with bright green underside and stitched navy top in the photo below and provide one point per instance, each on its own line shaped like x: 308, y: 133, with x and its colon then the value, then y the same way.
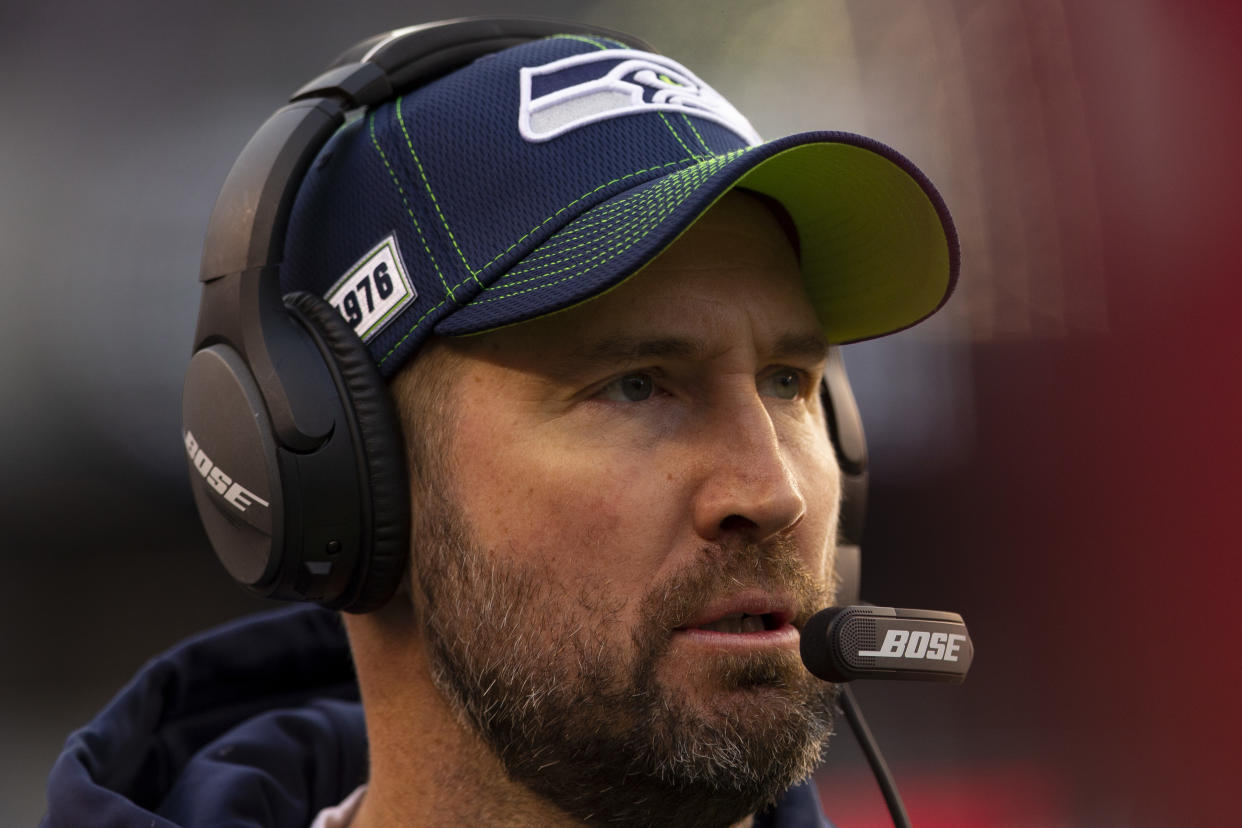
x: 879, y: 248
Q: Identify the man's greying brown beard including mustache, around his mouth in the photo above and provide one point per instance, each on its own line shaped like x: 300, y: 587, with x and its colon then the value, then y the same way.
x: 574, y: 707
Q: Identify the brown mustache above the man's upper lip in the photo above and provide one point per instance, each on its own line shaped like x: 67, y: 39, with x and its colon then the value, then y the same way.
x: 774, y: 567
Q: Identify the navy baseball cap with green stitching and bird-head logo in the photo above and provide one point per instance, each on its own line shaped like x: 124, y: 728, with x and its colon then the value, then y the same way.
x: 546, y: 174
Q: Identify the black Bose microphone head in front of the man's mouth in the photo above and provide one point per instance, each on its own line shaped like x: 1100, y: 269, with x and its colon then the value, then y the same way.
x: 864, y: 642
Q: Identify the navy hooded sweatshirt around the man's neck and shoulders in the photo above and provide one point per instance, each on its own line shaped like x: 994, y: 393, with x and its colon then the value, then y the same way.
x: 254, y: 724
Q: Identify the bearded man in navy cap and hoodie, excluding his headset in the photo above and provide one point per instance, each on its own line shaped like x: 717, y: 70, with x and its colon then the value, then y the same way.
x: 604, y: 310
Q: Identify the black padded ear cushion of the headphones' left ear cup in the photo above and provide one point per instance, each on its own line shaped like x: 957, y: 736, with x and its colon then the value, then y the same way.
x: 378, y: 440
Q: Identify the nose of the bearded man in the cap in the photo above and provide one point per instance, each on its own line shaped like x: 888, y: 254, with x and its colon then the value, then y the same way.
x: 747, y: 486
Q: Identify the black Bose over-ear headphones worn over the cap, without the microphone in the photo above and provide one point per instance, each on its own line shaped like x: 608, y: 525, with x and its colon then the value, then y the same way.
x: 296, y: 456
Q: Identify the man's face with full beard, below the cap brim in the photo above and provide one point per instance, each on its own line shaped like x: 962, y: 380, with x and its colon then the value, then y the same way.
x: 637, y: 511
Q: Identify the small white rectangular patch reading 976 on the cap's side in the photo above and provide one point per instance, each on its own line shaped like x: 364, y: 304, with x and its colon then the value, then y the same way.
x: 374, y: 291
